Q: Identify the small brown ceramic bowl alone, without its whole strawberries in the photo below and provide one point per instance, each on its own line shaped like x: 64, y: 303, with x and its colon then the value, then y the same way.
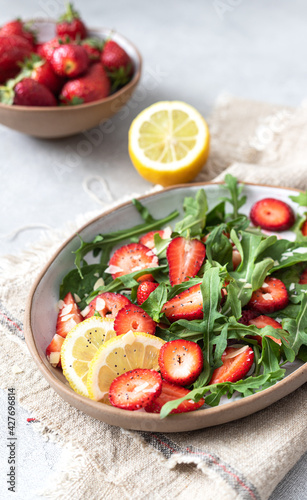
x: 63, y: 121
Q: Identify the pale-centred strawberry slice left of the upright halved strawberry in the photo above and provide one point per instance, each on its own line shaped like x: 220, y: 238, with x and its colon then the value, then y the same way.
x: 131, y: 258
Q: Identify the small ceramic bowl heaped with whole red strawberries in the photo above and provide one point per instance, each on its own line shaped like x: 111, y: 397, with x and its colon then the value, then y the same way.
x: 58, y: 78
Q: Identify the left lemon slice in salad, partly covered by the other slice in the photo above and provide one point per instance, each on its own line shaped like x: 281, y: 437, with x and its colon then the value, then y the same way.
x: 79, y: 348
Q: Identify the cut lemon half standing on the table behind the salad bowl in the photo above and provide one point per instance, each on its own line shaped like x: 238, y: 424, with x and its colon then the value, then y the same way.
x: 169, y: 143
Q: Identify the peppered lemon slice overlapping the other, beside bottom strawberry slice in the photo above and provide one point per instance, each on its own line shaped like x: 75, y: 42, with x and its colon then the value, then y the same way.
x: 119, y: 355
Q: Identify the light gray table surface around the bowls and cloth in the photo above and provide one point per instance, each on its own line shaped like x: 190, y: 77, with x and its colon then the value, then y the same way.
x: 192, y: 52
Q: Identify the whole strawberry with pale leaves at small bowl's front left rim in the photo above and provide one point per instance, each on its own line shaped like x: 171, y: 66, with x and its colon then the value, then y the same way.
x: 27, y: 92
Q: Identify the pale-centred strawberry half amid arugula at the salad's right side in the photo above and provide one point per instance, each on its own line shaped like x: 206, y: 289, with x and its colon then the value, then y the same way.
x: 271, y: 297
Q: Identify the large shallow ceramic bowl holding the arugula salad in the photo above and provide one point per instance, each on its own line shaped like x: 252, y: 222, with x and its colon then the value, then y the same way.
x: 41, y: 315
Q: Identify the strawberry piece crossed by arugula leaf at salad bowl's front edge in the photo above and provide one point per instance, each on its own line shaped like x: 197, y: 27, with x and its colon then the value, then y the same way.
x: 170, y: 392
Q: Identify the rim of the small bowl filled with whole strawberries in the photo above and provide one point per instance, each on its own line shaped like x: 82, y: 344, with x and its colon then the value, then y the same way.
x: 62, y: 109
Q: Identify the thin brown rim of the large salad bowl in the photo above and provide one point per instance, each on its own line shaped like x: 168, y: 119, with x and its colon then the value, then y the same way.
x: 300, y: 374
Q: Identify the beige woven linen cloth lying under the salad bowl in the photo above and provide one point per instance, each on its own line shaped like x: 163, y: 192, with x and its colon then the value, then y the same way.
x: 245, y: 459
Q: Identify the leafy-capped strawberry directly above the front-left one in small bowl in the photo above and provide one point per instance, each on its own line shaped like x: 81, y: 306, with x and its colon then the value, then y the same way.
x: 40, y: 70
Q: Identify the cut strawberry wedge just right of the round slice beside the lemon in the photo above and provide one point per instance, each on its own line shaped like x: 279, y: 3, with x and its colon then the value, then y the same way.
x: 236, y: 363
